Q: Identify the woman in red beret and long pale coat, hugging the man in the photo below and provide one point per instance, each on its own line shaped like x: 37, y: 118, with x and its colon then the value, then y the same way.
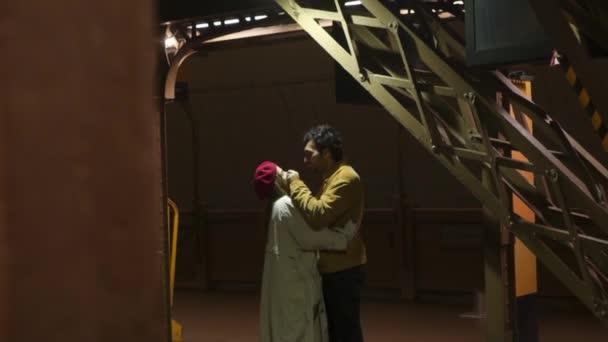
x: 291, y: 306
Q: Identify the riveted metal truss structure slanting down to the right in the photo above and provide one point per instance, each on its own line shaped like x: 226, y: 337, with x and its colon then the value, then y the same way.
x: 414, y: 65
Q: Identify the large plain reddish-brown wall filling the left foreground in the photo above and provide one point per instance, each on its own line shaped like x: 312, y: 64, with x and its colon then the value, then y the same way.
x: 81, y: 226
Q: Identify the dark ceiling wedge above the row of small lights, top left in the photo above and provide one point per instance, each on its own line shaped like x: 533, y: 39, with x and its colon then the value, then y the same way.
x: 171, y: 10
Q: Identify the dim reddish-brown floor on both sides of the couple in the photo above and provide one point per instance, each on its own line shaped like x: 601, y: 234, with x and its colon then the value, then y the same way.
x: 233, y: 317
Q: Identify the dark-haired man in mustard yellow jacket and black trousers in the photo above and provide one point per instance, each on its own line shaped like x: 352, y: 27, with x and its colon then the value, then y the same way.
x: 339, y: 200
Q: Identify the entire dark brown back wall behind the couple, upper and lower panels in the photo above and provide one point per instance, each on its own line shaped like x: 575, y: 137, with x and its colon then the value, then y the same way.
x: 254, y: 101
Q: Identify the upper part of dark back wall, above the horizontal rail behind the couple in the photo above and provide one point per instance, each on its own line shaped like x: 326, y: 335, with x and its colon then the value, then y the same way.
x: 254, y: 103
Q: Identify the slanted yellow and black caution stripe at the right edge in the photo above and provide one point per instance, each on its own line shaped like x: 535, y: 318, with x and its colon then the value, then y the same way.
x: 584, y: 99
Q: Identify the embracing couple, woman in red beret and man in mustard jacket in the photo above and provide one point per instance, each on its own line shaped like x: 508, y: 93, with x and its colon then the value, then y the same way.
x: 315, y: 256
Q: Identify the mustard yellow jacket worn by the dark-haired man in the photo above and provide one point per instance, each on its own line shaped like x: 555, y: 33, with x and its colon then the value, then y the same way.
x: 339, y: 200
